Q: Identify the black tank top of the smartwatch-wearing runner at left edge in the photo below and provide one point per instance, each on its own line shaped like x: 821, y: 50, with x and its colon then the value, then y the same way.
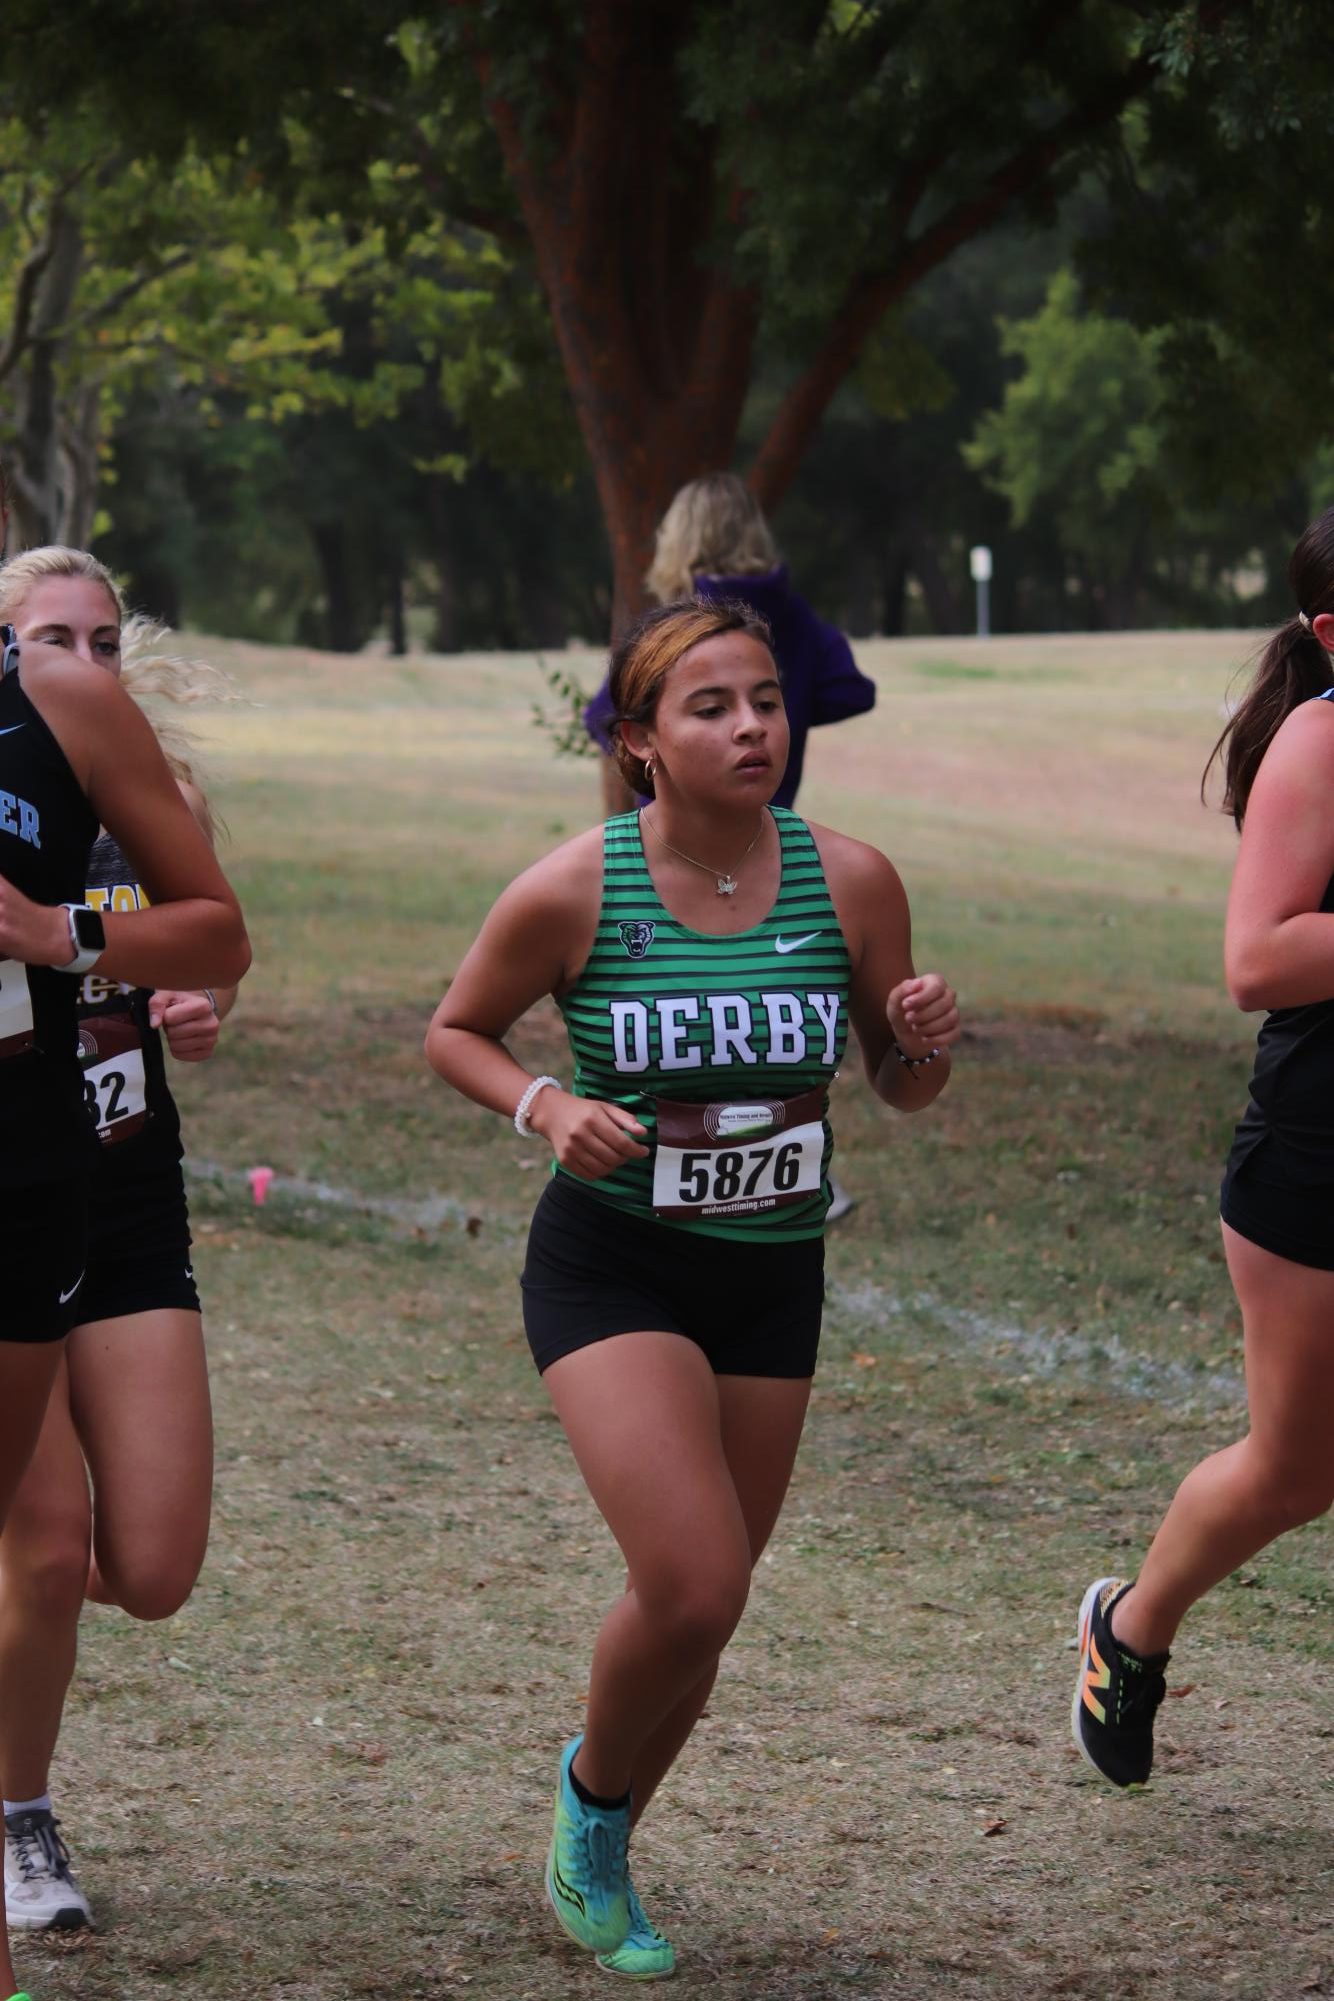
x: 47, y: 829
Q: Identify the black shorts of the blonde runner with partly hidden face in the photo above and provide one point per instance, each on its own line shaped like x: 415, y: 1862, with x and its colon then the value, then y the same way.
x: 139, y: 1244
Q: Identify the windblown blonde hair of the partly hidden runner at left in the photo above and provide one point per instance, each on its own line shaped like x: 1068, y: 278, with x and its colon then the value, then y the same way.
x: 151, y: 667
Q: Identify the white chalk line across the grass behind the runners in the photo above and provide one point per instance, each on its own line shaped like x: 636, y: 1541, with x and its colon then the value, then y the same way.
x: 1099, y: 1360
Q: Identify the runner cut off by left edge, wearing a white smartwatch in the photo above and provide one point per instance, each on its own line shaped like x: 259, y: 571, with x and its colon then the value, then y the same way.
x: 75, y: 753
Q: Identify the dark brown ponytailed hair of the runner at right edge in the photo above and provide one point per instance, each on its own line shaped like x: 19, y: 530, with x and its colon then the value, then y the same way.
x: 1291, y: 671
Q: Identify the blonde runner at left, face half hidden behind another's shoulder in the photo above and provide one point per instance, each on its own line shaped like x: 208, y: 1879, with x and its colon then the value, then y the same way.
x: 129, y: 1408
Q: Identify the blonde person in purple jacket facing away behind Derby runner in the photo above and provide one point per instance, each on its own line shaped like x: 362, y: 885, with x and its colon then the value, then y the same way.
x: 715, y: 543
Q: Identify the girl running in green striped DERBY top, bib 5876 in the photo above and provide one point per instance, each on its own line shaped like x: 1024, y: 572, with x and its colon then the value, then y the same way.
x: 709, y: 957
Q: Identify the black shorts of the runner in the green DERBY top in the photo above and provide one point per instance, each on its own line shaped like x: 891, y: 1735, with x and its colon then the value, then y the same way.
x: 593, y: 1274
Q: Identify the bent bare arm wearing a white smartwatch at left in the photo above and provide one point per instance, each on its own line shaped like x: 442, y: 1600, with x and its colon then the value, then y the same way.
x: 195, y: 929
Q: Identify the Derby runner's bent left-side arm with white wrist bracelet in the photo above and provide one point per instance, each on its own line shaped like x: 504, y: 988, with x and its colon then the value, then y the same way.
x: 533, y: 943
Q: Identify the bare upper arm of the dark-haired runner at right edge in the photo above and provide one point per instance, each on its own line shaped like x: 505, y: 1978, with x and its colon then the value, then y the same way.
x: 1279, y: 943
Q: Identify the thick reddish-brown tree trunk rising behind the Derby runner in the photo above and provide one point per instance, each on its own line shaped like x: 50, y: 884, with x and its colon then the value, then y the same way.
x: 657, y: 345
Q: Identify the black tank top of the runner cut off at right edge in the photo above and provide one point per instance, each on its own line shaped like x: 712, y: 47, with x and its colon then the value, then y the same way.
x: 1293, y: 1084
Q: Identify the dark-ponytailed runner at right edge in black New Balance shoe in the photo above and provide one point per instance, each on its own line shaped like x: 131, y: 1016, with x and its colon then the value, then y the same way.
x: 1277, y: 1194
